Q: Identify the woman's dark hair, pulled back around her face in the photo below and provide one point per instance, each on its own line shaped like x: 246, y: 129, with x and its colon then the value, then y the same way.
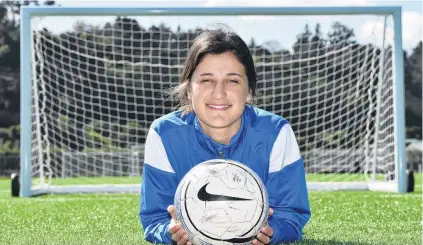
x: 213, y: 42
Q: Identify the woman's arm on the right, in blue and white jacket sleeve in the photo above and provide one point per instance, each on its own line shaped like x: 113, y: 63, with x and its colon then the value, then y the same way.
x: 287, y: 189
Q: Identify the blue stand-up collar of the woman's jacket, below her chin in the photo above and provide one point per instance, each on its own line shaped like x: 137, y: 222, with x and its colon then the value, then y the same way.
x: 217, y: 149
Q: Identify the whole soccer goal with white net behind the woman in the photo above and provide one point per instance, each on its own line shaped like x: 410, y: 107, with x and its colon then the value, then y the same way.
x: 88, y: 95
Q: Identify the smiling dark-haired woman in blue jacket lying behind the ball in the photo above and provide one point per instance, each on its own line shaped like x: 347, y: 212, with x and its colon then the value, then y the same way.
x: 216, y: 121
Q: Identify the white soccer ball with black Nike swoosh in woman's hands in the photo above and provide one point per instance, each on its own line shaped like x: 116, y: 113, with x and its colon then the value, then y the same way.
x: 221, y: 202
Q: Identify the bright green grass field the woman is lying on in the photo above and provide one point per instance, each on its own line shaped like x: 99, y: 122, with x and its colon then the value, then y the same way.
x: 351, y: 218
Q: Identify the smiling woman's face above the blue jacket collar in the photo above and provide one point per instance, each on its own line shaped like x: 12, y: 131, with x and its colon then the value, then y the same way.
x: 219, y: 92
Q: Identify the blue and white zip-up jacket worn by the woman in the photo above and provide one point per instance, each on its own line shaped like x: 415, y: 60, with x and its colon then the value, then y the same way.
x: 265, y: 143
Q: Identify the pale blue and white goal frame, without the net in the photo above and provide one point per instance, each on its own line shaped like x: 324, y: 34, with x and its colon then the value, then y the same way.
x: 26, y: 82
